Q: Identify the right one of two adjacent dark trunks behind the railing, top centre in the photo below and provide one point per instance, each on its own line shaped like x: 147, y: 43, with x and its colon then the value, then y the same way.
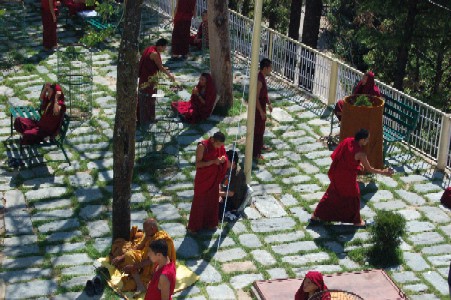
x: 312, y: 18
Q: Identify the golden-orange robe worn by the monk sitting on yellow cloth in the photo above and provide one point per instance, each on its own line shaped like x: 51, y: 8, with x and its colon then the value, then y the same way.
x: 136, y: 256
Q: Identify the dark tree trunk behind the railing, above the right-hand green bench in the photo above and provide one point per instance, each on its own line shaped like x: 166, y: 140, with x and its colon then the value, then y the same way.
x: 405, y: 43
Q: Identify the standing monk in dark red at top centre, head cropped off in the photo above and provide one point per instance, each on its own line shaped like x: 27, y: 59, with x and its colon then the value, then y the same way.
x: 184, y: 12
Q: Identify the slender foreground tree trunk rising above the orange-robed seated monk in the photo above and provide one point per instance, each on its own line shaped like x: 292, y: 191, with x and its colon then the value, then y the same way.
x: 125, y: 120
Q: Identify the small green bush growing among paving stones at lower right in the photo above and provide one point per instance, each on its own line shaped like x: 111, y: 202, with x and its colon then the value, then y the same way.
x: 386, y: 235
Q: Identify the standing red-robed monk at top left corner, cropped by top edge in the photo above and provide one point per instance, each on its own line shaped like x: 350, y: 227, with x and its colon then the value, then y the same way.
x: 49, y: 11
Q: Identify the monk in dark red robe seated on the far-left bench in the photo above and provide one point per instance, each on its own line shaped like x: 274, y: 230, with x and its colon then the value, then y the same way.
x: 52, y: 114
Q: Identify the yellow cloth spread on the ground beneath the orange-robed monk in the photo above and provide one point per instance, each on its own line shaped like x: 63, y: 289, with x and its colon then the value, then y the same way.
x: 184, y: 277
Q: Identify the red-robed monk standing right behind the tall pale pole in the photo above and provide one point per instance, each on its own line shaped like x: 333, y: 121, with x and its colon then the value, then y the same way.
x: 260, y: 112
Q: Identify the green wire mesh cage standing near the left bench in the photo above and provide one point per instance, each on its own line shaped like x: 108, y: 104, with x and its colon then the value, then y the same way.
x: 75, y: 76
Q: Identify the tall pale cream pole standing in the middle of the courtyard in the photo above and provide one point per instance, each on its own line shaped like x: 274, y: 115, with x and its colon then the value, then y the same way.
x: 253, y: 89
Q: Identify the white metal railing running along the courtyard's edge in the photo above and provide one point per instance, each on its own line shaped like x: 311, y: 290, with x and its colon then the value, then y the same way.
x: 328, y: 79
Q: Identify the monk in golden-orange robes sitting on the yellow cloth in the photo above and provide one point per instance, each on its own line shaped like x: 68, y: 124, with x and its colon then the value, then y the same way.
x: 132, y: 257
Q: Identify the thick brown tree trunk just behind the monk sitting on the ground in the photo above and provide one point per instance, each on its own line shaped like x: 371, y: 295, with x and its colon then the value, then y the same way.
x: 220, y: 64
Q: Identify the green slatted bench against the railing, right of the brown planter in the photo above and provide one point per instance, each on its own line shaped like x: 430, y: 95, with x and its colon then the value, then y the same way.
x: 399, y: 121
